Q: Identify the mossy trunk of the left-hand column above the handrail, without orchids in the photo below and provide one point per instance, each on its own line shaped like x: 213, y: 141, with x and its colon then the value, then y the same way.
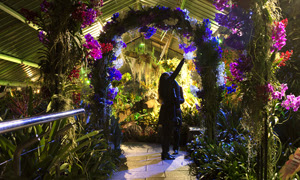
x: 62, y: 49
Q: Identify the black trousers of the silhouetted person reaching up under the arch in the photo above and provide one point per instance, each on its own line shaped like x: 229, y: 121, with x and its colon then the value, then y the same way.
x: 166, y: 139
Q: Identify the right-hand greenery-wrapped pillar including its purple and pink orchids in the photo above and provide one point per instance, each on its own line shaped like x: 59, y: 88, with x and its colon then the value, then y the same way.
x: 257, y: 34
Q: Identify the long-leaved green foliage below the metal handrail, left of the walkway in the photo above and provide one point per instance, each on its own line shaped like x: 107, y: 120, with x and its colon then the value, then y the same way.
x: 83, y: 156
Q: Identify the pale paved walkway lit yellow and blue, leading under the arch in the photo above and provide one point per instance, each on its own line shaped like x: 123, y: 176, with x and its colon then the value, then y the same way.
x: 144, y: 163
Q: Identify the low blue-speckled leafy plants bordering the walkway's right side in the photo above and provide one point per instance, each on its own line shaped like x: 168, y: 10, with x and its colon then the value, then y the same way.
x: 226, y: 159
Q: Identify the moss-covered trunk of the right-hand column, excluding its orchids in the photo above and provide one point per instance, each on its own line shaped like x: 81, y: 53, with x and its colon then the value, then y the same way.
x: 255, y: 101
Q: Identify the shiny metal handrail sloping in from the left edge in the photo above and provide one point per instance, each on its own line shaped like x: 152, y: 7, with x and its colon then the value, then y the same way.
x: 11, y: 125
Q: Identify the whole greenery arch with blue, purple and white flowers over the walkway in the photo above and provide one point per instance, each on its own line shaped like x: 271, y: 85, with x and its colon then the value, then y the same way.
x: 147, y: 20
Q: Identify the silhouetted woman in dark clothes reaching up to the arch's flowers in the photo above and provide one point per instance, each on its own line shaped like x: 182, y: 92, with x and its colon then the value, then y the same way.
x: 169, y: 111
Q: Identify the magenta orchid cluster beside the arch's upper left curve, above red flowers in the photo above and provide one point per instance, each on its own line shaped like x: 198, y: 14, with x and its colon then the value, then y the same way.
x: 93, y: 46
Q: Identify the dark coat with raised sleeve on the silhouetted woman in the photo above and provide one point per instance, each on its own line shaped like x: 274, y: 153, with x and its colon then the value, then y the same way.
x: 168, y: 110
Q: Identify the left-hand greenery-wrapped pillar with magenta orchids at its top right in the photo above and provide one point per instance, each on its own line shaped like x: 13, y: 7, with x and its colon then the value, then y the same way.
x: 60, y: 24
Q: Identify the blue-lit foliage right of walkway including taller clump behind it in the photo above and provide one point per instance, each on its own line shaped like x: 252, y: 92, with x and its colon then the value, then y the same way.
x: 231, y: 156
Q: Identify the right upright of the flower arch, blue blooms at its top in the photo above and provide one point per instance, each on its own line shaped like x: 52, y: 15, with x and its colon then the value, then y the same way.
x: 207, y: 61
